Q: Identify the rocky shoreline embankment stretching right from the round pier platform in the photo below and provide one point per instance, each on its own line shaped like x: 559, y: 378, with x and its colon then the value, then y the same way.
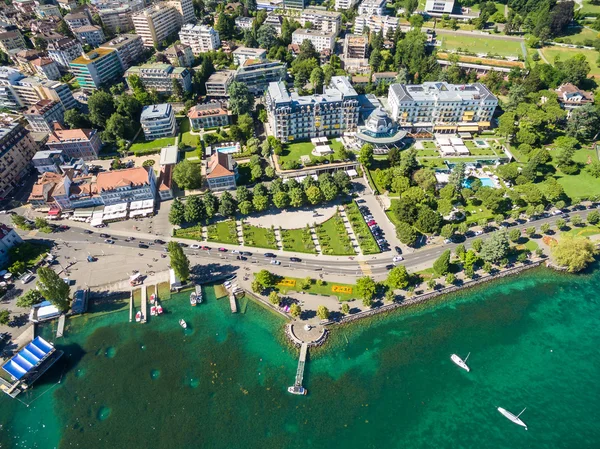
x: 434, y: 294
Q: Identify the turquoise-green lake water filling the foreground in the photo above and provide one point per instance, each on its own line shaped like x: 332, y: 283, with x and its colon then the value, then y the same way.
x: 384, y: 383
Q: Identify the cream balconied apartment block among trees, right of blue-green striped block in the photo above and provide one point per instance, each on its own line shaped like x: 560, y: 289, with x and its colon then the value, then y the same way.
x: 160, y: 77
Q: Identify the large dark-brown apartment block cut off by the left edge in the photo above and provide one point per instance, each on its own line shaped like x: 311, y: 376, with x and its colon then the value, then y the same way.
x: 17, y: 148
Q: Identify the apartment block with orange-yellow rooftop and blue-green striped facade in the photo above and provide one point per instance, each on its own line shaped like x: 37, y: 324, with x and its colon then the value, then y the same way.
x: 96, y: 68
